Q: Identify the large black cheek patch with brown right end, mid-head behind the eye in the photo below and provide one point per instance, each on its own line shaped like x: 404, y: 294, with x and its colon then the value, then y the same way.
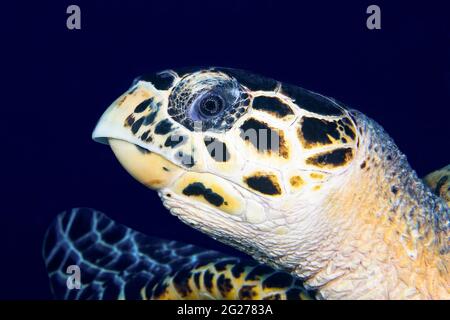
x: 263, y: 137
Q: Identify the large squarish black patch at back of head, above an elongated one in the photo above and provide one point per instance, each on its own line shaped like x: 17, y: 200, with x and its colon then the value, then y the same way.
x: 314, y: 131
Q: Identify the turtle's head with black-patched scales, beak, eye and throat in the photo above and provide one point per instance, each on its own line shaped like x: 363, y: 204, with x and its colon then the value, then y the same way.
x: 233, y: 153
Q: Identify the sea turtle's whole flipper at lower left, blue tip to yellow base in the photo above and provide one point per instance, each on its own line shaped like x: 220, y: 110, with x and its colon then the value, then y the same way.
x: 116, y: 262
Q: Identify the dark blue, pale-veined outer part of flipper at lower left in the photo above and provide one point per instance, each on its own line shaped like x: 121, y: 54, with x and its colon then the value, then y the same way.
x: 115, y: 262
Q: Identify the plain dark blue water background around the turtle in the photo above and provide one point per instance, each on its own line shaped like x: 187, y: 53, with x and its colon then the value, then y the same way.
x: 56, y: 83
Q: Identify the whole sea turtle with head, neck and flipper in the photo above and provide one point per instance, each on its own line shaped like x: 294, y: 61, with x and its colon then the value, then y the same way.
x: 315, y: 191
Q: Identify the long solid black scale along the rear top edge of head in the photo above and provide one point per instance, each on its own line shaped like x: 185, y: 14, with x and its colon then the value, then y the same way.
x: 311, y: 101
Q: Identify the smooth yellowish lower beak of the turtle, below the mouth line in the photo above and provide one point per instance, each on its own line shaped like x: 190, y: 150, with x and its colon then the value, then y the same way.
x: 149, y: 168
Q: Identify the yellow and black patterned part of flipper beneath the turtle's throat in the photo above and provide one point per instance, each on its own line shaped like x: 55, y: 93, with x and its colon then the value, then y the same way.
x: 232, y: 279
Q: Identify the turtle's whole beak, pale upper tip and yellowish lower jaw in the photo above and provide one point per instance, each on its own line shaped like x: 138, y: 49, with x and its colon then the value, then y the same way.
x: 136, y: 156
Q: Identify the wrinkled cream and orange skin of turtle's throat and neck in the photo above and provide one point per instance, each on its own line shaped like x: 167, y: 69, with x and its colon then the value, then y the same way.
x: 374, y: 231
